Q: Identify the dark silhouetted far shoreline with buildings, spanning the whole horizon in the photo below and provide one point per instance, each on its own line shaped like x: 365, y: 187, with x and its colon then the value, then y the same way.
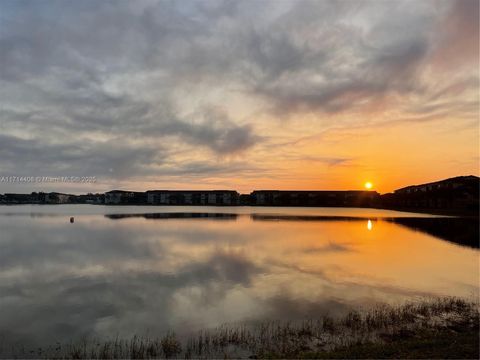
x: 458, y: 196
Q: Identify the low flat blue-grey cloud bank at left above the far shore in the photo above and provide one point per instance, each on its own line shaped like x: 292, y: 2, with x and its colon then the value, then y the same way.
x: 116, y: 157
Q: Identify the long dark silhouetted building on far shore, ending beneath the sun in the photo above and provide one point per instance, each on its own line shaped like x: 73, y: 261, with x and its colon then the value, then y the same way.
x: 314, y: 198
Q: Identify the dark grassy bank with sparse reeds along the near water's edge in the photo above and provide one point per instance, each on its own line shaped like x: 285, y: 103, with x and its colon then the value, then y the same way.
x: 436, y: 328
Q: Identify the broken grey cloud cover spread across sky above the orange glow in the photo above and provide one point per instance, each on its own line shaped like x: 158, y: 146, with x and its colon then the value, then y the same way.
x: 151, y: 80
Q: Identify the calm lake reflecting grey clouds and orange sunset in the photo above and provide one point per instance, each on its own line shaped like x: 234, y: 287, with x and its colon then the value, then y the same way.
x: 124, y: 270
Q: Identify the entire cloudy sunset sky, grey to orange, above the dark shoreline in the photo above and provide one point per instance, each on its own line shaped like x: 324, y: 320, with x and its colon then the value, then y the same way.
x: 240, y: 95
